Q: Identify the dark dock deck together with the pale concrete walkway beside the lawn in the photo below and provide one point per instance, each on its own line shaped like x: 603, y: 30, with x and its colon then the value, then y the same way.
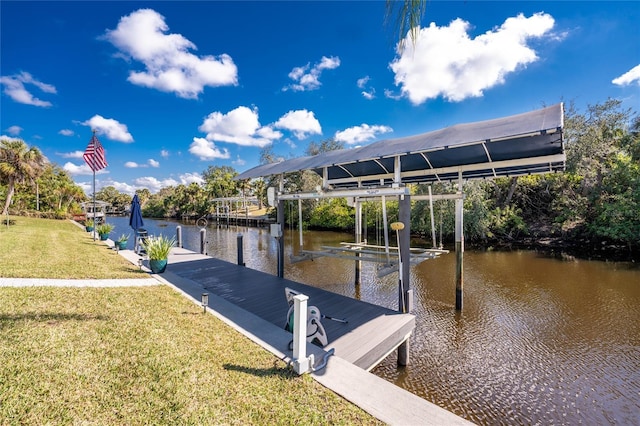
x: 254, y: 303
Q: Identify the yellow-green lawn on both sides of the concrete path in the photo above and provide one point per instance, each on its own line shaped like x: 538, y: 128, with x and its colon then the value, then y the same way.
x: 138, y: 355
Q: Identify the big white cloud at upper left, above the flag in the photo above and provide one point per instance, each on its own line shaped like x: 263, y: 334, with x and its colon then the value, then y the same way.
x: 169, y: 65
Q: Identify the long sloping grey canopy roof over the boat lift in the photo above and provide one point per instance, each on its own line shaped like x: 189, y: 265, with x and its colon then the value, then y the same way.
x: 520, y: 144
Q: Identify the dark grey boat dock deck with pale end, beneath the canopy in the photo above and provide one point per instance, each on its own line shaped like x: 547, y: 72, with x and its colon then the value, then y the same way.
x: 371, y: 333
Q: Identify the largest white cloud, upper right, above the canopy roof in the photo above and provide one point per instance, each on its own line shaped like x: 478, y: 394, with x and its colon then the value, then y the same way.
x: 446, y: 62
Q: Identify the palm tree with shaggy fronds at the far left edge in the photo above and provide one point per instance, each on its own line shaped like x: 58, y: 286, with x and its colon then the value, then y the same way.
x: 18, y: 163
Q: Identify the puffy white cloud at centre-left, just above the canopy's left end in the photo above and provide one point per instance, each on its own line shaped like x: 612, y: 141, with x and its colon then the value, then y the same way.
x: 240, y: 126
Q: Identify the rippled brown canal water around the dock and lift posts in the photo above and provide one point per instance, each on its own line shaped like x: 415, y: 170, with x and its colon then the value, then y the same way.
x: 540, y: 340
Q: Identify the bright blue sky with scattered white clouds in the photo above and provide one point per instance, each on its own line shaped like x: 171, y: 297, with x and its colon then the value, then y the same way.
x: 174, y: 87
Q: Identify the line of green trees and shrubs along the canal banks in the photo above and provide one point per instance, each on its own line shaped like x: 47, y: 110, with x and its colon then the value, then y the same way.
x: 593, y: 206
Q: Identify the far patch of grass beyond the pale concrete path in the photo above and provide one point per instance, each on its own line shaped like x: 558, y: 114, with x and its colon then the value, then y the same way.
x: 47, y: 248
